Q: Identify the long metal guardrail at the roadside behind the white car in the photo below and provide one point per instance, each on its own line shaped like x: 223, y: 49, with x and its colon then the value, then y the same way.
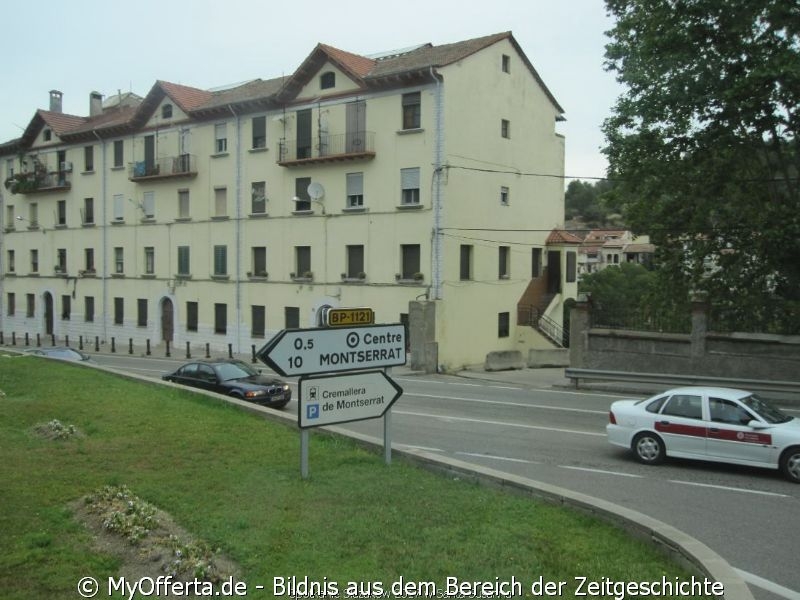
x: 754, y: 385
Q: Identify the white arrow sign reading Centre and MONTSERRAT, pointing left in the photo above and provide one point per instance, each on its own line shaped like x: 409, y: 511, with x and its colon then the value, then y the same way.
x: 323, y: 350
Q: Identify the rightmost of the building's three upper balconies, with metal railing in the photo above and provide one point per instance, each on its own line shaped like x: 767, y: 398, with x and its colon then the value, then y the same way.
x: 328, y: 148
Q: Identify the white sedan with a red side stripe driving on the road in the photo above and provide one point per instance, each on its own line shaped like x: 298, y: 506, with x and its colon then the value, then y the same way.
x: 706, y: 423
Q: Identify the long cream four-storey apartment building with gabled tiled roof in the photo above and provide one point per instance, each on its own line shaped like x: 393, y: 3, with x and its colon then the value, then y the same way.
x: 424, y: 183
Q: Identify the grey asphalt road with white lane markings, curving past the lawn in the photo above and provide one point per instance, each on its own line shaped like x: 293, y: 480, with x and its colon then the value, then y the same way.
x: 557, y: 436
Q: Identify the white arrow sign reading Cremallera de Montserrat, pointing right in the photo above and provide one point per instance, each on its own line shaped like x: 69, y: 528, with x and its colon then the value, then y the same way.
x: 327, y: 400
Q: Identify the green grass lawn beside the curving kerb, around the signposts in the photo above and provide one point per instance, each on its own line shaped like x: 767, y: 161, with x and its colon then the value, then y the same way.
x: 232, y: 478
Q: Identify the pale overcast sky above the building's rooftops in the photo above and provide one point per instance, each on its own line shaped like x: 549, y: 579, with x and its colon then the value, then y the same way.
x: 82, y: 46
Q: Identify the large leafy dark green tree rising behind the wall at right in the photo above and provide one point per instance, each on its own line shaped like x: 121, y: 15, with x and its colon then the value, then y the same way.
x: 703, y: 147
